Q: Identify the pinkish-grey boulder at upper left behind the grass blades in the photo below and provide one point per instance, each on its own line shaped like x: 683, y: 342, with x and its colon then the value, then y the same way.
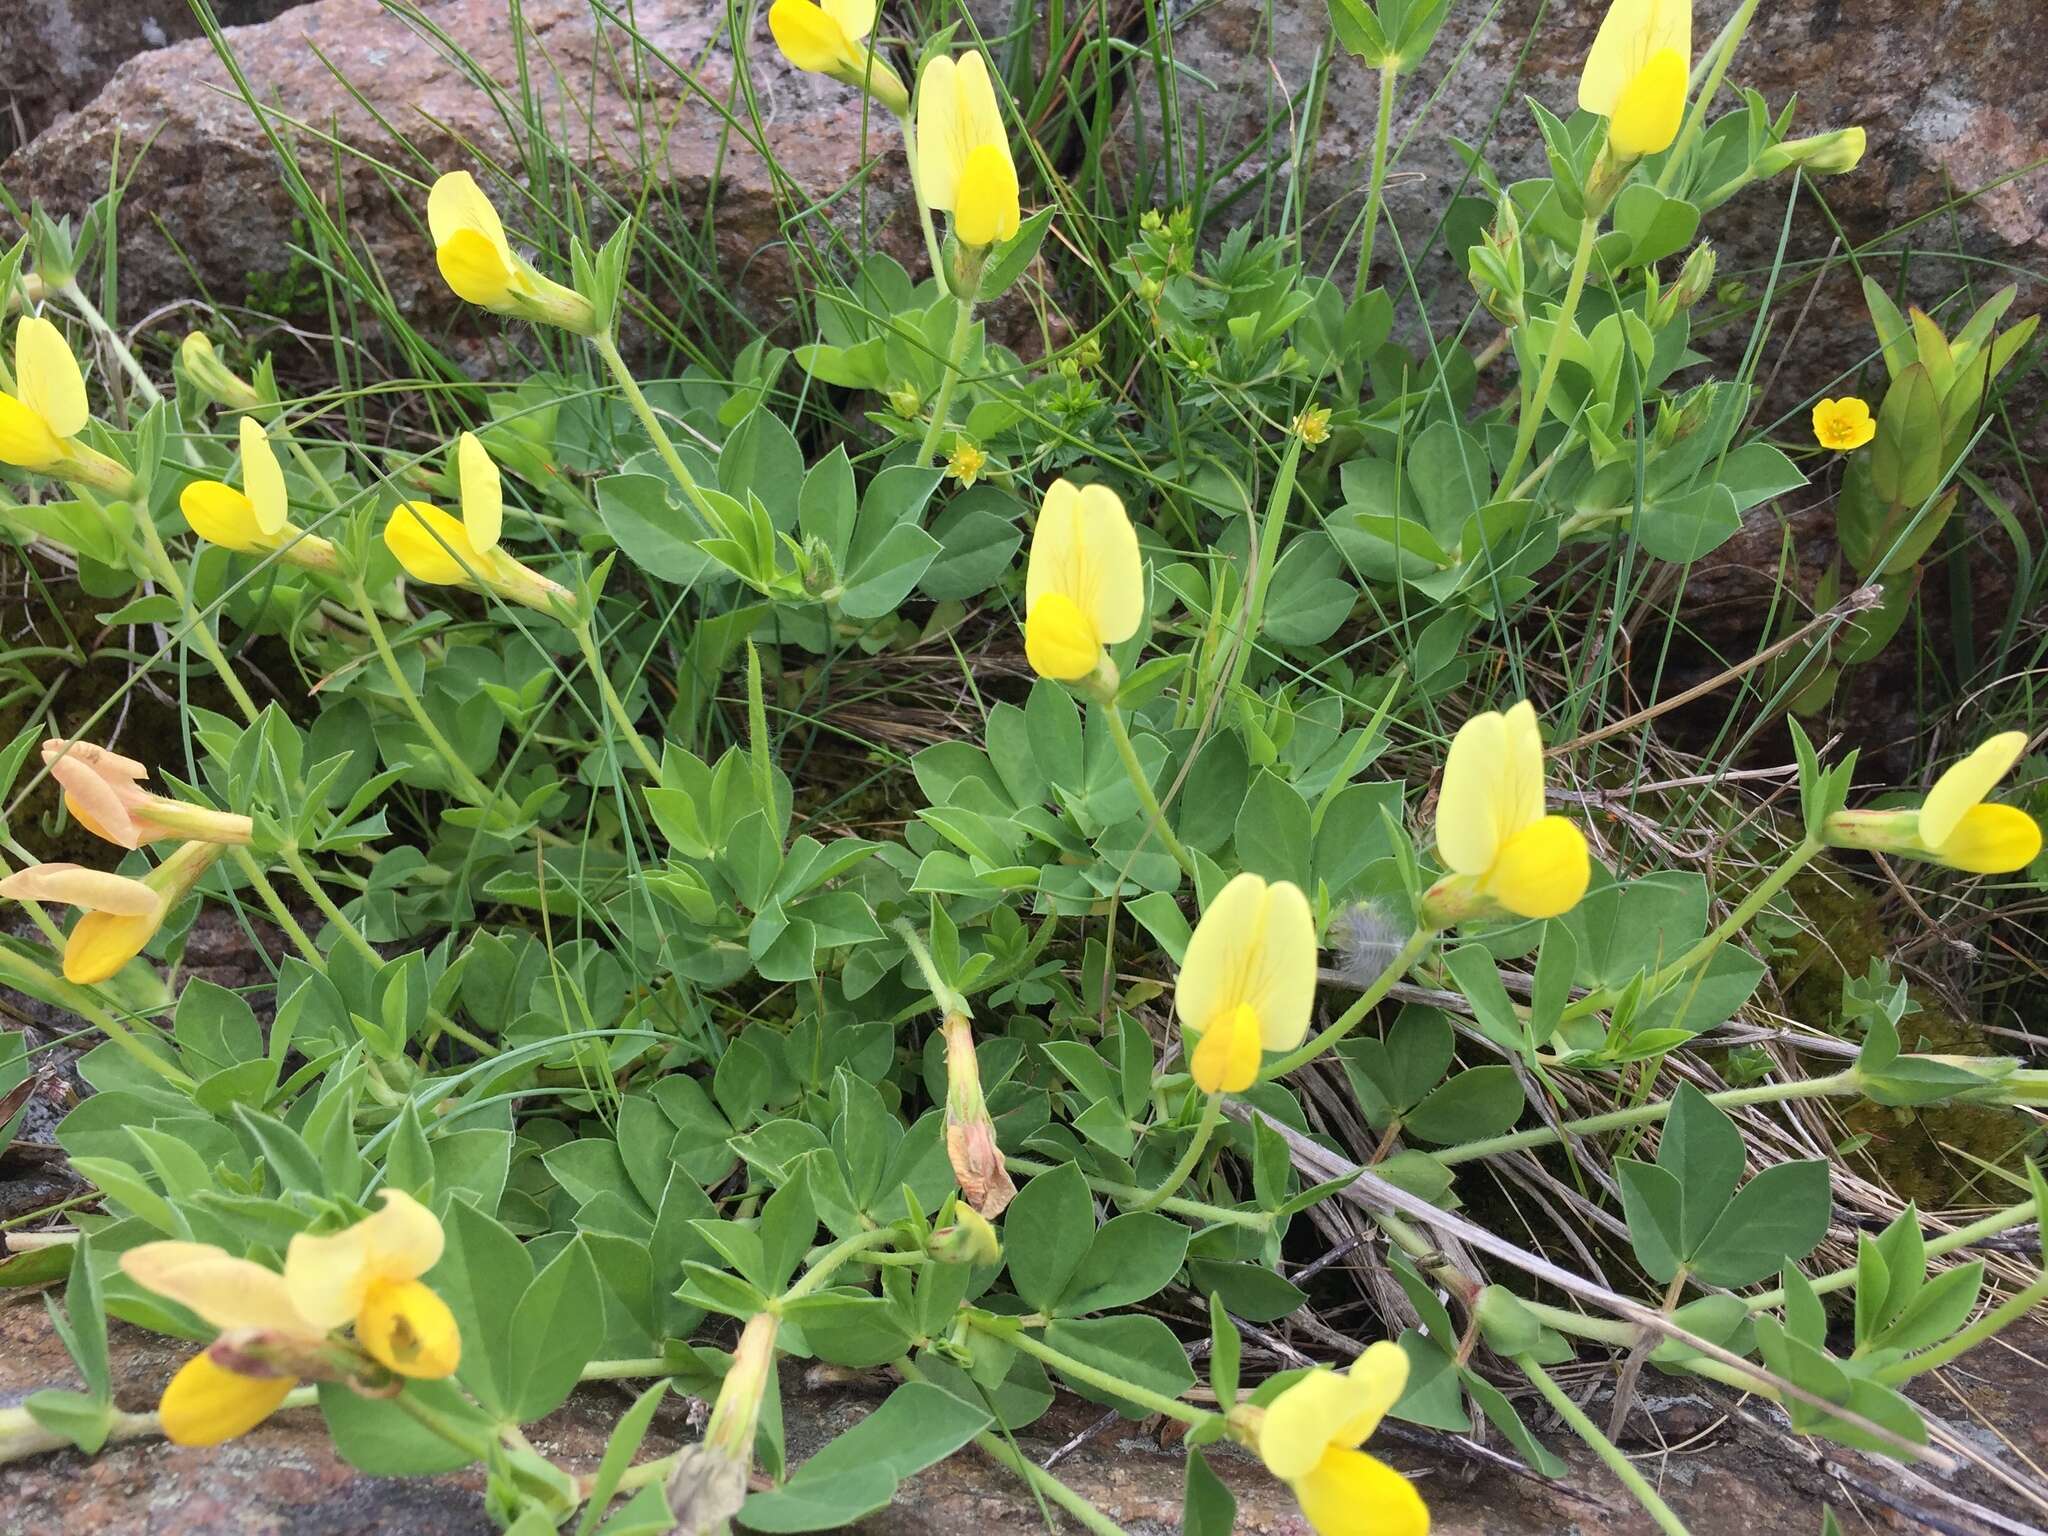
x: 208, y: 198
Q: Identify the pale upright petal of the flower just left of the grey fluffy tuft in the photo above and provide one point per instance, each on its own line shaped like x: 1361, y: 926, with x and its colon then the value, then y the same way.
x: 1254, y: 947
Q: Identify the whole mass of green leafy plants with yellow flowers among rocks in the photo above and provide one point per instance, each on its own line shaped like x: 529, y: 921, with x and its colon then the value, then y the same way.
x: 605, y: 1046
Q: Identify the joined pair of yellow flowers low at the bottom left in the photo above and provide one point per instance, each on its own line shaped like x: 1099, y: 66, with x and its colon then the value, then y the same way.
x: 278, y: 1326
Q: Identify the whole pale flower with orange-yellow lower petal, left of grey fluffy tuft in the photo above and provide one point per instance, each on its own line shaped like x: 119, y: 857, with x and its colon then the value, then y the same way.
x: 1246, y: 982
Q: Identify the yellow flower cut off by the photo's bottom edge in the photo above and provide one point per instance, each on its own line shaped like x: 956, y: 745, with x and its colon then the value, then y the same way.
x: 1312, y: 1437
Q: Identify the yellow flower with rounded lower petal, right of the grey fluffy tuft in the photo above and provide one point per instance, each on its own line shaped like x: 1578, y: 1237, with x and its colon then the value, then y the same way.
x: 1492, y: 830
